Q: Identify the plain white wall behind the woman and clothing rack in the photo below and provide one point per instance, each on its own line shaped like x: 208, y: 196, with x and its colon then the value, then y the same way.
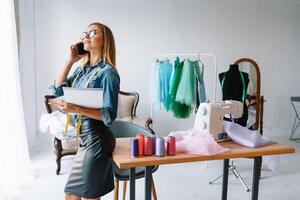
x: 267, y: 31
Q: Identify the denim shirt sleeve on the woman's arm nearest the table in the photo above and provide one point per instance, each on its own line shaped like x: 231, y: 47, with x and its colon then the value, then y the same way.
x: 111, y: 87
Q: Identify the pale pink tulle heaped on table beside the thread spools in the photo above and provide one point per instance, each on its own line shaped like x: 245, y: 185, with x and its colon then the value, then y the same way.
x: 196, y: 142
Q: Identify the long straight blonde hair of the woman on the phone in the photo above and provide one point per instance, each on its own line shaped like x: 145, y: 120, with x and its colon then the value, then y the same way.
x: 109, y: 48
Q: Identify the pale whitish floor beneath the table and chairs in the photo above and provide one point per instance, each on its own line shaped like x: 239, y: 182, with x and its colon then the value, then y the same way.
x: 179, y: 181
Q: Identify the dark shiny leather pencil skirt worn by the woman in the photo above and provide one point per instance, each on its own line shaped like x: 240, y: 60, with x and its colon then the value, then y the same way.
x: 91, y: 175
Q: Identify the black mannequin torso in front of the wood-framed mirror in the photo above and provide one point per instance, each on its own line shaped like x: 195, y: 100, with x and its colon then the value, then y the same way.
x: 233, y: 88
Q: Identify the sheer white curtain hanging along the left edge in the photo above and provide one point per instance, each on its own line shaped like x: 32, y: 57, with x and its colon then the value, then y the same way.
x: 15, y: 167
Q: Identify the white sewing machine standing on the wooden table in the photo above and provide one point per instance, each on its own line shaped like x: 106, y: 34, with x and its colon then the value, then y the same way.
x: 209, y: 117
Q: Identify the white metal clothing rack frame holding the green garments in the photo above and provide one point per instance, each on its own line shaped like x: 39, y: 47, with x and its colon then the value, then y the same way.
x: 198, y: 55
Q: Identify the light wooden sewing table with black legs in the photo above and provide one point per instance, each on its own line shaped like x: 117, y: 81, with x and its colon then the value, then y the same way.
x: 121, y: 157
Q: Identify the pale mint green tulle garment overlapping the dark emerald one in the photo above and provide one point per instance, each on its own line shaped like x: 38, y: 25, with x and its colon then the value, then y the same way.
x: 186, y: 88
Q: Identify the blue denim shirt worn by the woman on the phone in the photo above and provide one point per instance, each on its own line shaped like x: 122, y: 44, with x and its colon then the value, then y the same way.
x: 107, y: 79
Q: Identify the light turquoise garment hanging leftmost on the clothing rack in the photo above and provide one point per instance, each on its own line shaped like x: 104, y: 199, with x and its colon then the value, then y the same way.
x: 164, y: 71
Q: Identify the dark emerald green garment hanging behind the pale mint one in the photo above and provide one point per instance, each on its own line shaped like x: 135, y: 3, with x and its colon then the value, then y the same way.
x: 179, y: 110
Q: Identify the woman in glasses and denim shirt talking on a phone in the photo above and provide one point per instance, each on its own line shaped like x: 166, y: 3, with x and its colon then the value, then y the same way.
x: 91, y: 176
